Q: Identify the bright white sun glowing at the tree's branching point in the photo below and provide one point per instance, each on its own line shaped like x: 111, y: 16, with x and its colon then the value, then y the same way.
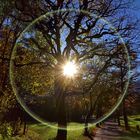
x: 70, y: 69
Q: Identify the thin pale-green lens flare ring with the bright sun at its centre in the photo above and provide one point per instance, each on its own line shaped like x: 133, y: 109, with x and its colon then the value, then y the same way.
x: 70, y: 69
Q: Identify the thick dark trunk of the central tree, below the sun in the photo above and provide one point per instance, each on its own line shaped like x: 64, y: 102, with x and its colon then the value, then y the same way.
x: 60, y: 107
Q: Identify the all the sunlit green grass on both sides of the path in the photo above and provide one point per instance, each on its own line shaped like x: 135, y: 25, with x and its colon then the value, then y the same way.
x: 41, y: 132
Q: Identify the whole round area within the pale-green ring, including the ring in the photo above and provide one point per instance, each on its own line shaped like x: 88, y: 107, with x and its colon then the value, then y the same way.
x: 65, y: 69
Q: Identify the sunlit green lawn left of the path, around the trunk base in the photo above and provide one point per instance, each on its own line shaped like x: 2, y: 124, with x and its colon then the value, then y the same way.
x: 42, y: 132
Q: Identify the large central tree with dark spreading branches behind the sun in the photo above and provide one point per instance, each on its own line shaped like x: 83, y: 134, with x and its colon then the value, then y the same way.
x: 67, y: 36
